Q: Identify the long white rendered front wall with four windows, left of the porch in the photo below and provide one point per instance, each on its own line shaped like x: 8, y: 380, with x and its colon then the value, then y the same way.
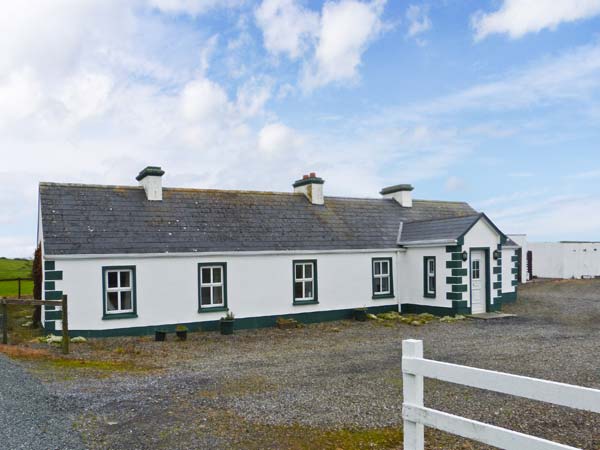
x: 167, y: 287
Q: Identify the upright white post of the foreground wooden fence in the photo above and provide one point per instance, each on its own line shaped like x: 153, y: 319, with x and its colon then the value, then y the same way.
x: 414, y: 433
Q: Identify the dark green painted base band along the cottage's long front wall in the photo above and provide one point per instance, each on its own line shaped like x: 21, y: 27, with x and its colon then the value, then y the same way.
x: 240, y: 324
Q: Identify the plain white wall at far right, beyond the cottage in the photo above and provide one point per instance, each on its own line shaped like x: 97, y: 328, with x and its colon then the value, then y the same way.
x: 565, y: 260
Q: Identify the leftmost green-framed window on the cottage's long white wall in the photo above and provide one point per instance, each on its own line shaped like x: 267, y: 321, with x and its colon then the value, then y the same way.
x: 119, y: 292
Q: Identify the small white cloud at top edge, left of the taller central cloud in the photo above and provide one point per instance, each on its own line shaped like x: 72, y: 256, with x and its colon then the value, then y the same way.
x: 287, y: 27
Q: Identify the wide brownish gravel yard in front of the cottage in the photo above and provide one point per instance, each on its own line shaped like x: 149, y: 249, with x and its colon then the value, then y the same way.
x: 297, y: 389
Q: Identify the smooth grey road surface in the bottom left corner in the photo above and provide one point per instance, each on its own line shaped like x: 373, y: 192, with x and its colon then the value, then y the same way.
x: 31, y: 418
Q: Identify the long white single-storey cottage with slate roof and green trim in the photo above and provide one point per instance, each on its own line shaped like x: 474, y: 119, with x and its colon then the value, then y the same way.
x: 136, y: 259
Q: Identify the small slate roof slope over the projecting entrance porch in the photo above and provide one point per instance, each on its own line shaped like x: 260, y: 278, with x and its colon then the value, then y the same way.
x: 437, y: 230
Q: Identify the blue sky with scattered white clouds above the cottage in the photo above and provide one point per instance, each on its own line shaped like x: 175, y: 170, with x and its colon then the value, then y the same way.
x: 492, y: 102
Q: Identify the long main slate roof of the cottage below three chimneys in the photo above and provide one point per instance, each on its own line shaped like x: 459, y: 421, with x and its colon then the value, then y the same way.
x: 90, y: 219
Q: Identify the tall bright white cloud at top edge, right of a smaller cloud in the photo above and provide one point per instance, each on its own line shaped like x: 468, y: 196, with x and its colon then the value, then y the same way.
x: 347, y: 27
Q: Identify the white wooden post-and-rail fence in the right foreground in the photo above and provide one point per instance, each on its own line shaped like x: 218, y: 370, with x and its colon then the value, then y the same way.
x: 416, y: 416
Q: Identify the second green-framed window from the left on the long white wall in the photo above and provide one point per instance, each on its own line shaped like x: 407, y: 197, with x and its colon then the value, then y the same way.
x: 212, y: 280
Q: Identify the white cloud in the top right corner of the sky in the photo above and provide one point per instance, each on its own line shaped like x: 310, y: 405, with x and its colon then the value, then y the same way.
x: 519, y: 17
